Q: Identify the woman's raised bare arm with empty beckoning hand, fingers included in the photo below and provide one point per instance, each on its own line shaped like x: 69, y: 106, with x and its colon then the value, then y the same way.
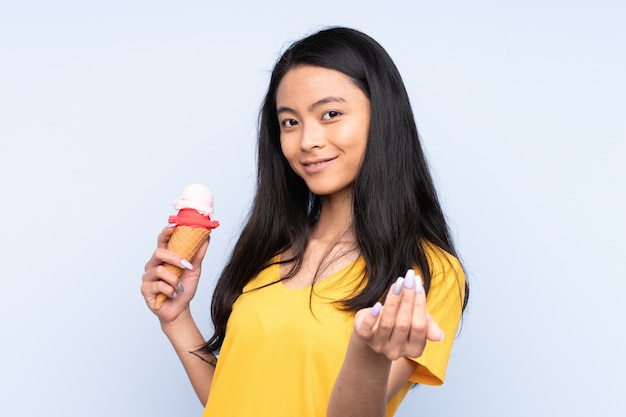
x: 375, y: 366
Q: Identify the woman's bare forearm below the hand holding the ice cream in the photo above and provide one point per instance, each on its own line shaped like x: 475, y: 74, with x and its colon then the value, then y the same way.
x: 186, y: 338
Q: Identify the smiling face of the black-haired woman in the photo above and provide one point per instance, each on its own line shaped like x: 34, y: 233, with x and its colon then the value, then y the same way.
x: 324, y: 123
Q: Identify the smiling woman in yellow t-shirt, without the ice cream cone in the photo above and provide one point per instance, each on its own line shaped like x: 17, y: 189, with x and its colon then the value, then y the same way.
x: 310, y: 315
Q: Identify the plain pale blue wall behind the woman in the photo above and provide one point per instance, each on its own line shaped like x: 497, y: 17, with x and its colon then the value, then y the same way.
x: 108, y: 109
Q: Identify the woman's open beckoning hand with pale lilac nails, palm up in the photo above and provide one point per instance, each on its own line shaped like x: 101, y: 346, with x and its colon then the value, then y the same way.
x: 401, y: 326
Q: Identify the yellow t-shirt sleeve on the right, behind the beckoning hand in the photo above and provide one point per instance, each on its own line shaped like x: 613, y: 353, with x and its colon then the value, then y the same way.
x: 444, y: 302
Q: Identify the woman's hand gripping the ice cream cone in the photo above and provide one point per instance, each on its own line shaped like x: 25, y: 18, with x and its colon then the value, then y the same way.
x: 157, y: 279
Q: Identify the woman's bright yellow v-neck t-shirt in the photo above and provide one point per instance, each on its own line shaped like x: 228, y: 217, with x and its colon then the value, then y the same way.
x: 284, y: 348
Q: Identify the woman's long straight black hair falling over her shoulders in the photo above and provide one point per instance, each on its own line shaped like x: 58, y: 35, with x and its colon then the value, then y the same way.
x: 396, y: 209
